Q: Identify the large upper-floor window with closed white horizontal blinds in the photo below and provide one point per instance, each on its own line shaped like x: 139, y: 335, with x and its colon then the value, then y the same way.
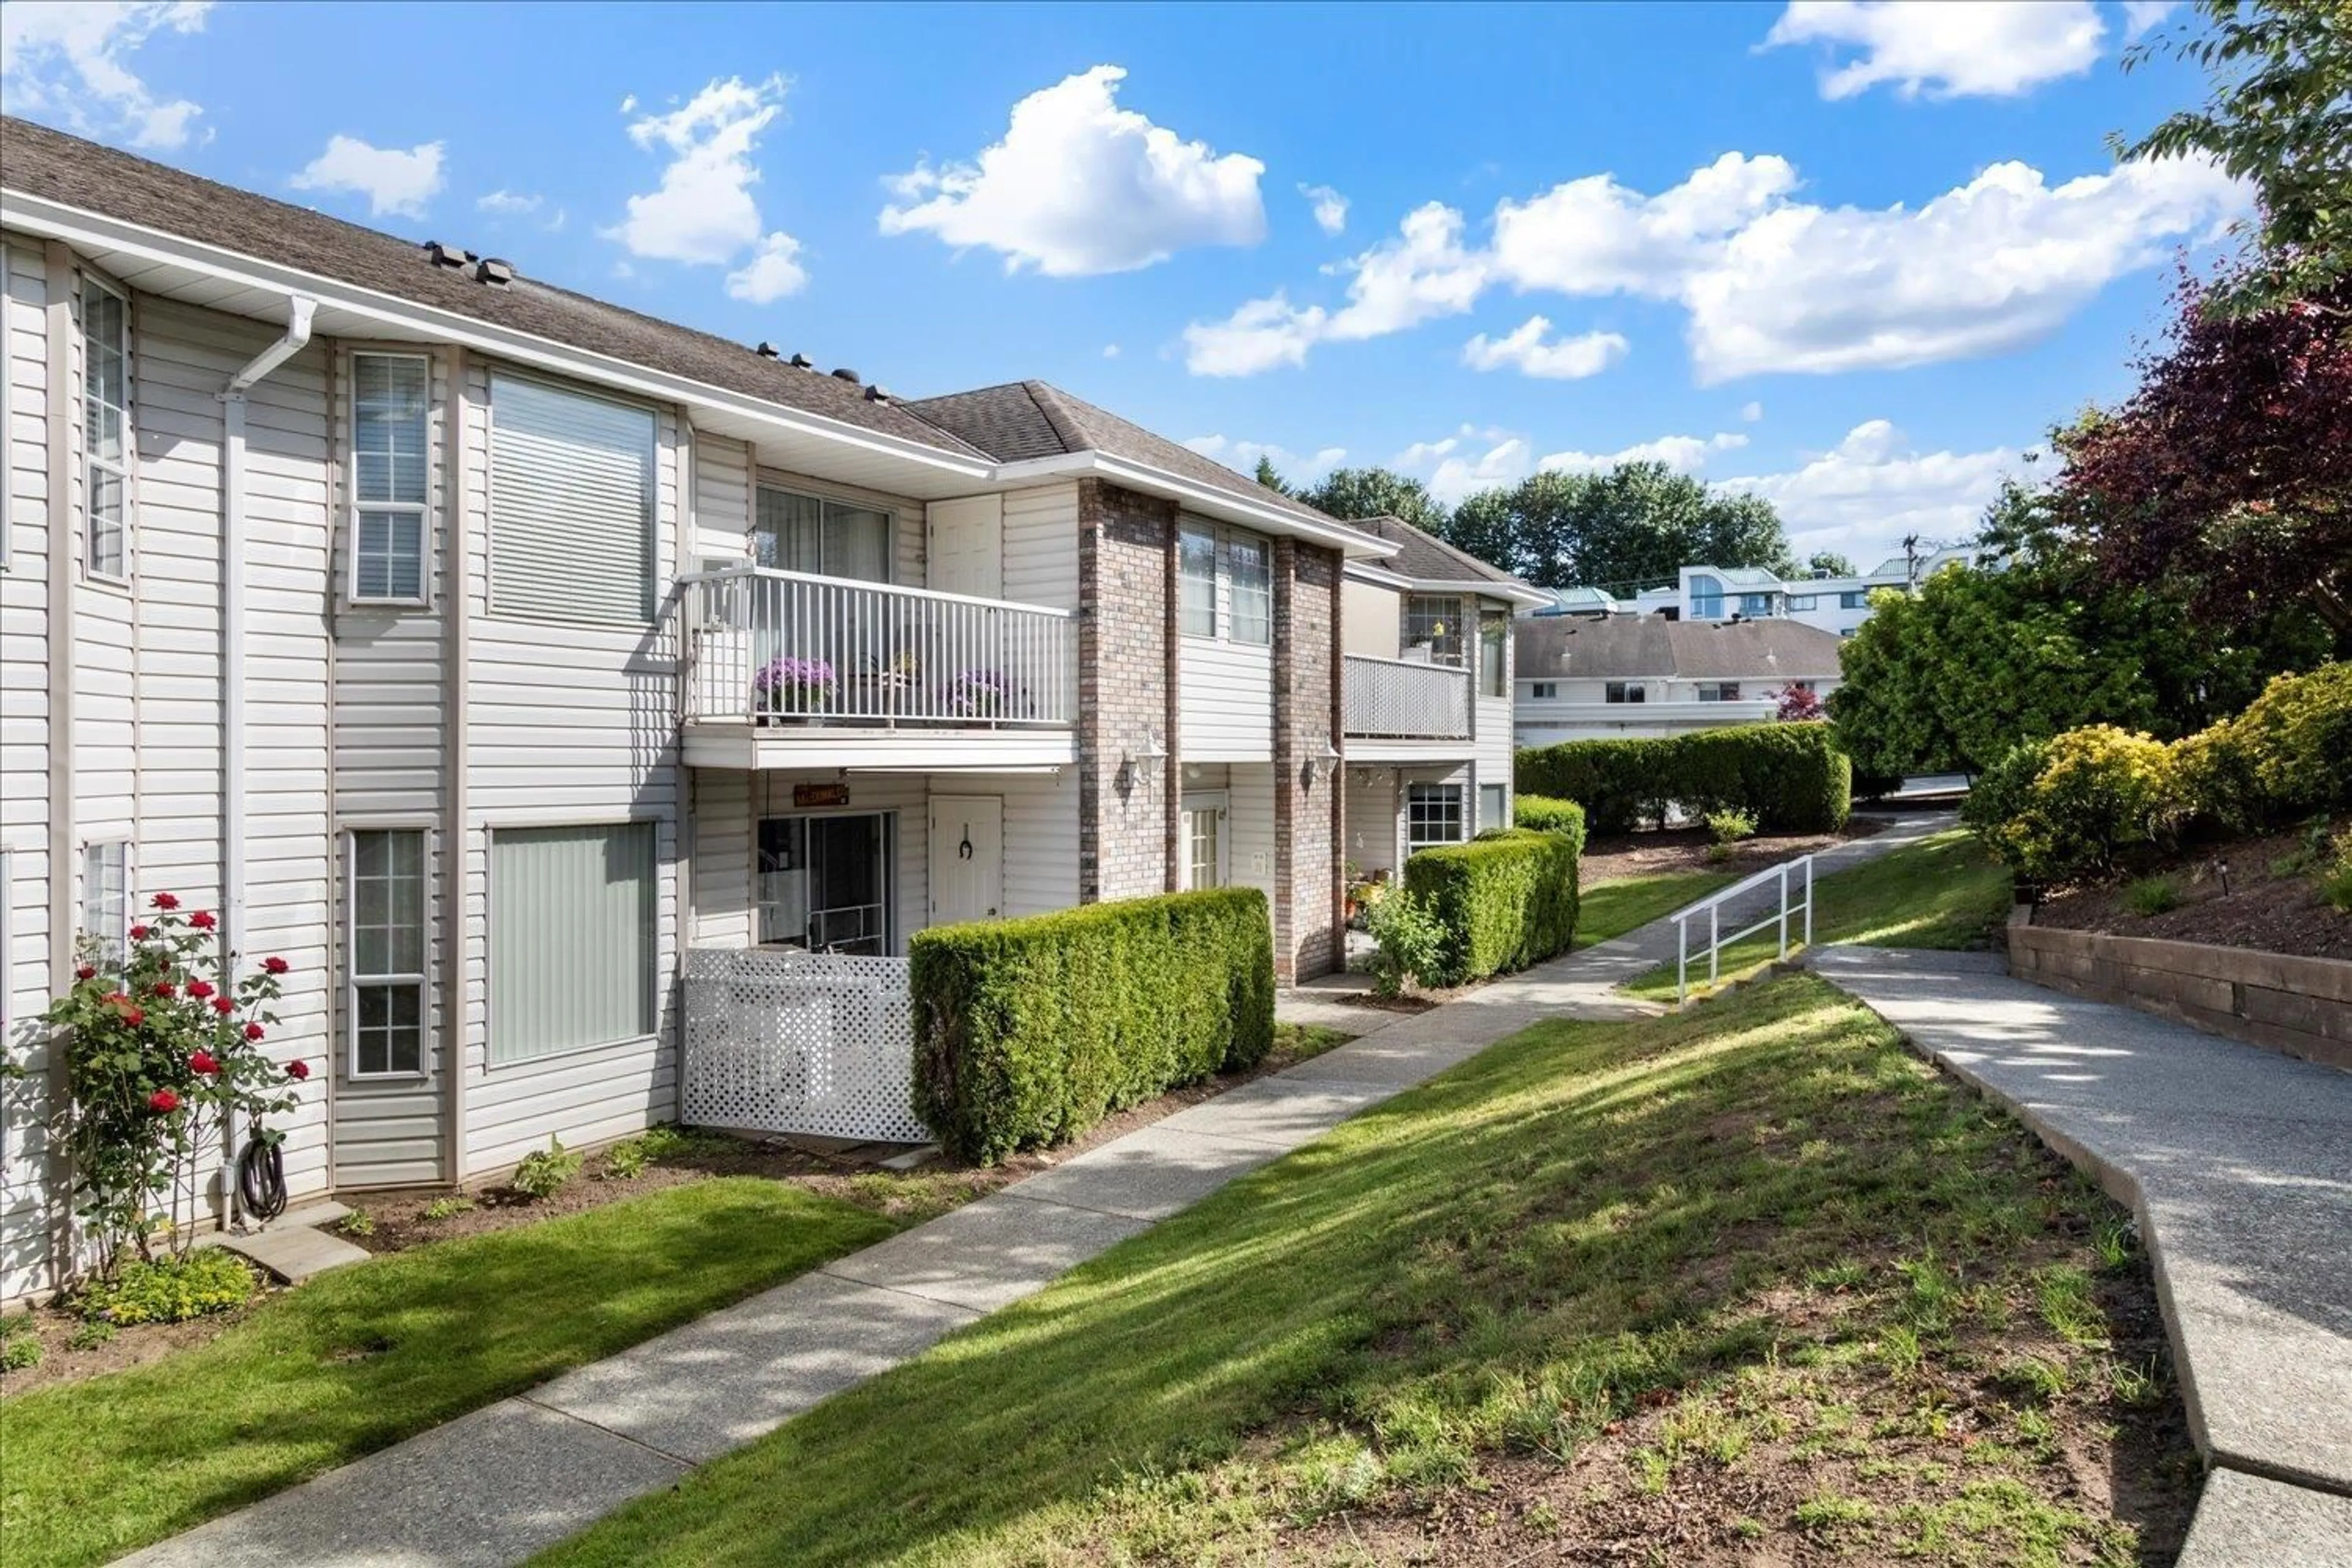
x: 570, y: 504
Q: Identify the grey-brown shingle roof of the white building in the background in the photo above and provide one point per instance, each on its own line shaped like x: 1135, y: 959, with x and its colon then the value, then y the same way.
x: 1624, y: 648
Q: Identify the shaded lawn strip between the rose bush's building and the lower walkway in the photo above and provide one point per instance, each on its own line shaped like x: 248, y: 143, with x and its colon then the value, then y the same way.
x: 368, y: 1355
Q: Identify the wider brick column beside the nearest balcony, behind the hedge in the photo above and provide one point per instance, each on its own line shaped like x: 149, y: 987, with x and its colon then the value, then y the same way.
x: 1125, y: 692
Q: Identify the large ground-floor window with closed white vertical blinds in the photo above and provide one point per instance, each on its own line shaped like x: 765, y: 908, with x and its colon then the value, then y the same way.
x: 570, y: 939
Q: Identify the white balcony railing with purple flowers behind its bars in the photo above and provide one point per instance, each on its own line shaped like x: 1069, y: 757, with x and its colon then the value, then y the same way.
x: 787, y: 648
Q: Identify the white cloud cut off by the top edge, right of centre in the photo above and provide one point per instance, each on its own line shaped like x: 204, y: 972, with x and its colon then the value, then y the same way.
x: 1942, y: 51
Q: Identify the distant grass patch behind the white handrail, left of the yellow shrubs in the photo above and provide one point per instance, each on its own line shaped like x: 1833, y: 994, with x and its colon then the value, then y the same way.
x: 1942, y: 892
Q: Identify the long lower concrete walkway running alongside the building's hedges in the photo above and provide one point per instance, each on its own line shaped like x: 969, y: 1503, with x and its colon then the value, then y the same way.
x: 500, y: 1485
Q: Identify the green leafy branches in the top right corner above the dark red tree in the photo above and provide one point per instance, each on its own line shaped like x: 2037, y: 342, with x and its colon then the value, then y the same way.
x: 2280, y: 119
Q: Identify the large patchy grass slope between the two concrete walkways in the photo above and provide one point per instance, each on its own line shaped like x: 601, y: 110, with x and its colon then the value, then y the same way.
x: 1626, y: 1261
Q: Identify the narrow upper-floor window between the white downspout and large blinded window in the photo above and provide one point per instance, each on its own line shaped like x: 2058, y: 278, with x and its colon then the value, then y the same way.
x: 389, y: 478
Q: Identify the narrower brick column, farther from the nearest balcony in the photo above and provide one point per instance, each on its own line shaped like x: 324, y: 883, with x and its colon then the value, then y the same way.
x: 1309, y: 845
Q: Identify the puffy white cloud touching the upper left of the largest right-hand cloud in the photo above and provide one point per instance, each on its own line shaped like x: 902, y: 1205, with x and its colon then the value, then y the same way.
x: 1593, y: 236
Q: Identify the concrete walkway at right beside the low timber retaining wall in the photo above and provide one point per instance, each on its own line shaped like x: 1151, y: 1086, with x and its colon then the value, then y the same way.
x: 2238, y: 1167
